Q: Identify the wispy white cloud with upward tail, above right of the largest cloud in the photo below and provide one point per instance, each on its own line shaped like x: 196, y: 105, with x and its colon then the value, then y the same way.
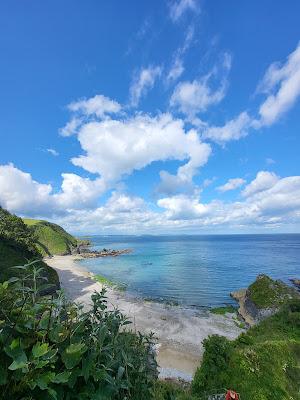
x: 194, y: 97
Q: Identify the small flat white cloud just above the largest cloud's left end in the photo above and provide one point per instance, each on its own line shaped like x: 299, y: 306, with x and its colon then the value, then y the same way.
x: 98, y: 105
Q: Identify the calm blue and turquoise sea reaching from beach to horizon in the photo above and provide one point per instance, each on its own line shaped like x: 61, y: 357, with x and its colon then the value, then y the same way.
x: 196, y: 270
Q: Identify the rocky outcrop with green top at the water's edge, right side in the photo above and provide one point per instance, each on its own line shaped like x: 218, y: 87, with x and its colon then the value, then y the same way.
x: 263, y: 298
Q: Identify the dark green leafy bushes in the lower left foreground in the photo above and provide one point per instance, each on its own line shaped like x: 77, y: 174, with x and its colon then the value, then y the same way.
x: 51, y: 349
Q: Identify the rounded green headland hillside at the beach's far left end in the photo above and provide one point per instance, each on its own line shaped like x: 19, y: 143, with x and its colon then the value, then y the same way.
x: 51, y: 238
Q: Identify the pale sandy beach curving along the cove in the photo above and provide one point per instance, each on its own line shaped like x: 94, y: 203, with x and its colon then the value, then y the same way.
x: 180, y: 331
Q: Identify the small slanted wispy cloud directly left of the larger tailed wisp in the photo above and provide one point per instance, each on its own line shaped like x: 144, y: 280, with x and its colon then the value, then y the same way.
x: 143, y: 82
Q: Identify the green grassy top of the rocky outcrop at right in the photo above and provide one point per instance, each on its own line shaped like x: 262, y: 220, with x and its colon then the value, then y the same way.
x: 268, y: 293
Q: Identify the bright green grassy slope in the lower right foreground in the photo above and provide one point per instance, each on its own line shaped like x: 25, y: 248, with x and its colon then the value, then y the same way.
x: 263, y: 363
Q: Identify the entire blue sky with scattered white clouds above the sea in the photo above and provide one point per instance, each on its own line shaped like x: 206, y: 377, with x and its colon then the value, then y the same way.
x: 161, y: 117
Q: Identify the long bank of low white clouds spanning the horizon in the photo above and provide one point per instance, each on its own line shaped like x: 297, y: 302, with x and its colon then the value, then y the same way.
x: 269, y: 201
